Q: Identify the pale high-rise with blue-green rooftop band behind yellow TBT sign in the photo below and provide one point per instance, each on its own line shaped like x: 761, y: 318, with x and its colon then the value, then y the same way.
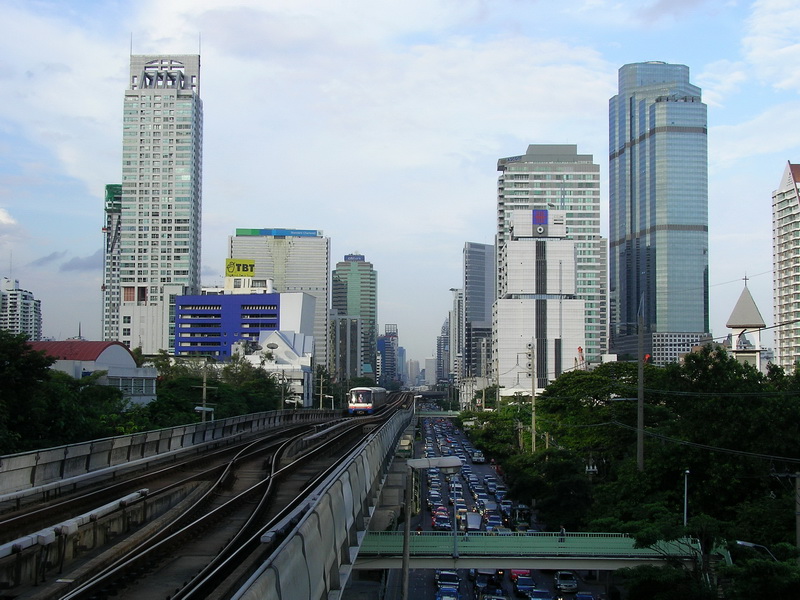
x: 296, y: 260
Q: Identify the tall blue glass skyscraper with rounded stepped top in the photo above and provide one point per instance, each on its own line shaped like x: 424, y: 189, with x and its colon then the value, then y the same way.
x: 658, y: 192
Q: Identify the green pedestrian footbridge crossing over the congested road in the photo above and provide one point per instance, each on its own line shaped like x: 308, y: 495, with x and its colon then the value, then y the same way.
x: 573, y: 551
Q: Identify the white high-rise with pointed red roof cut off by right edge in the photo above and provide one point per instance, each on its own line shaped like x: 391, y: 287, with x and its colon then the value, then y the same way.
x: 785, y: 268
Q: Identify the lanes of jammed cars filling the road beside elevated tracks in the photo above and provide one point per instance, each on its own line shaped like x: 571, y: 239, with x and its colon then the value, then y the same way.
x: 479, y: 498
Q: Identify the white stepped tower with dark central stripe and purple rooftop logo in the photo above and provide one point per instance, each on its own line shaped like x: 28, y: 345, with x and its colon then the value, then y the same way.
x: 538, y: 325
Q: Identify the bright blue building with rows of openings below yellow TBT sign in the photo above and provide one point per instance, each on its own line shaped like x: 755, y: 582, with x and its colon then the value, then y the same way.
x: 209, y: 325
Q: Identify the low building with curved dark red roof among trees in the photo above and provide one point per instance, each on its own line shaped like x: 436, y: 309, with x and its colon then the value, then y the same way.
x: 81, y: 358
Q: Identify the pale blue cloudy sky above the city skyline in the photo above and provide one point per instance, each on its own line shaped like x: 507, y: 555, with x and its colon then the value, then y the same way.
x: 379, y: 123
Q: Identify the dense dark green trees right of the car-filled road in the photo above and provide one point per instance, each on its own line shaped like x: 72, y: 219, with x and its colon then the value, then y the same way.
x: 734, y: 428
